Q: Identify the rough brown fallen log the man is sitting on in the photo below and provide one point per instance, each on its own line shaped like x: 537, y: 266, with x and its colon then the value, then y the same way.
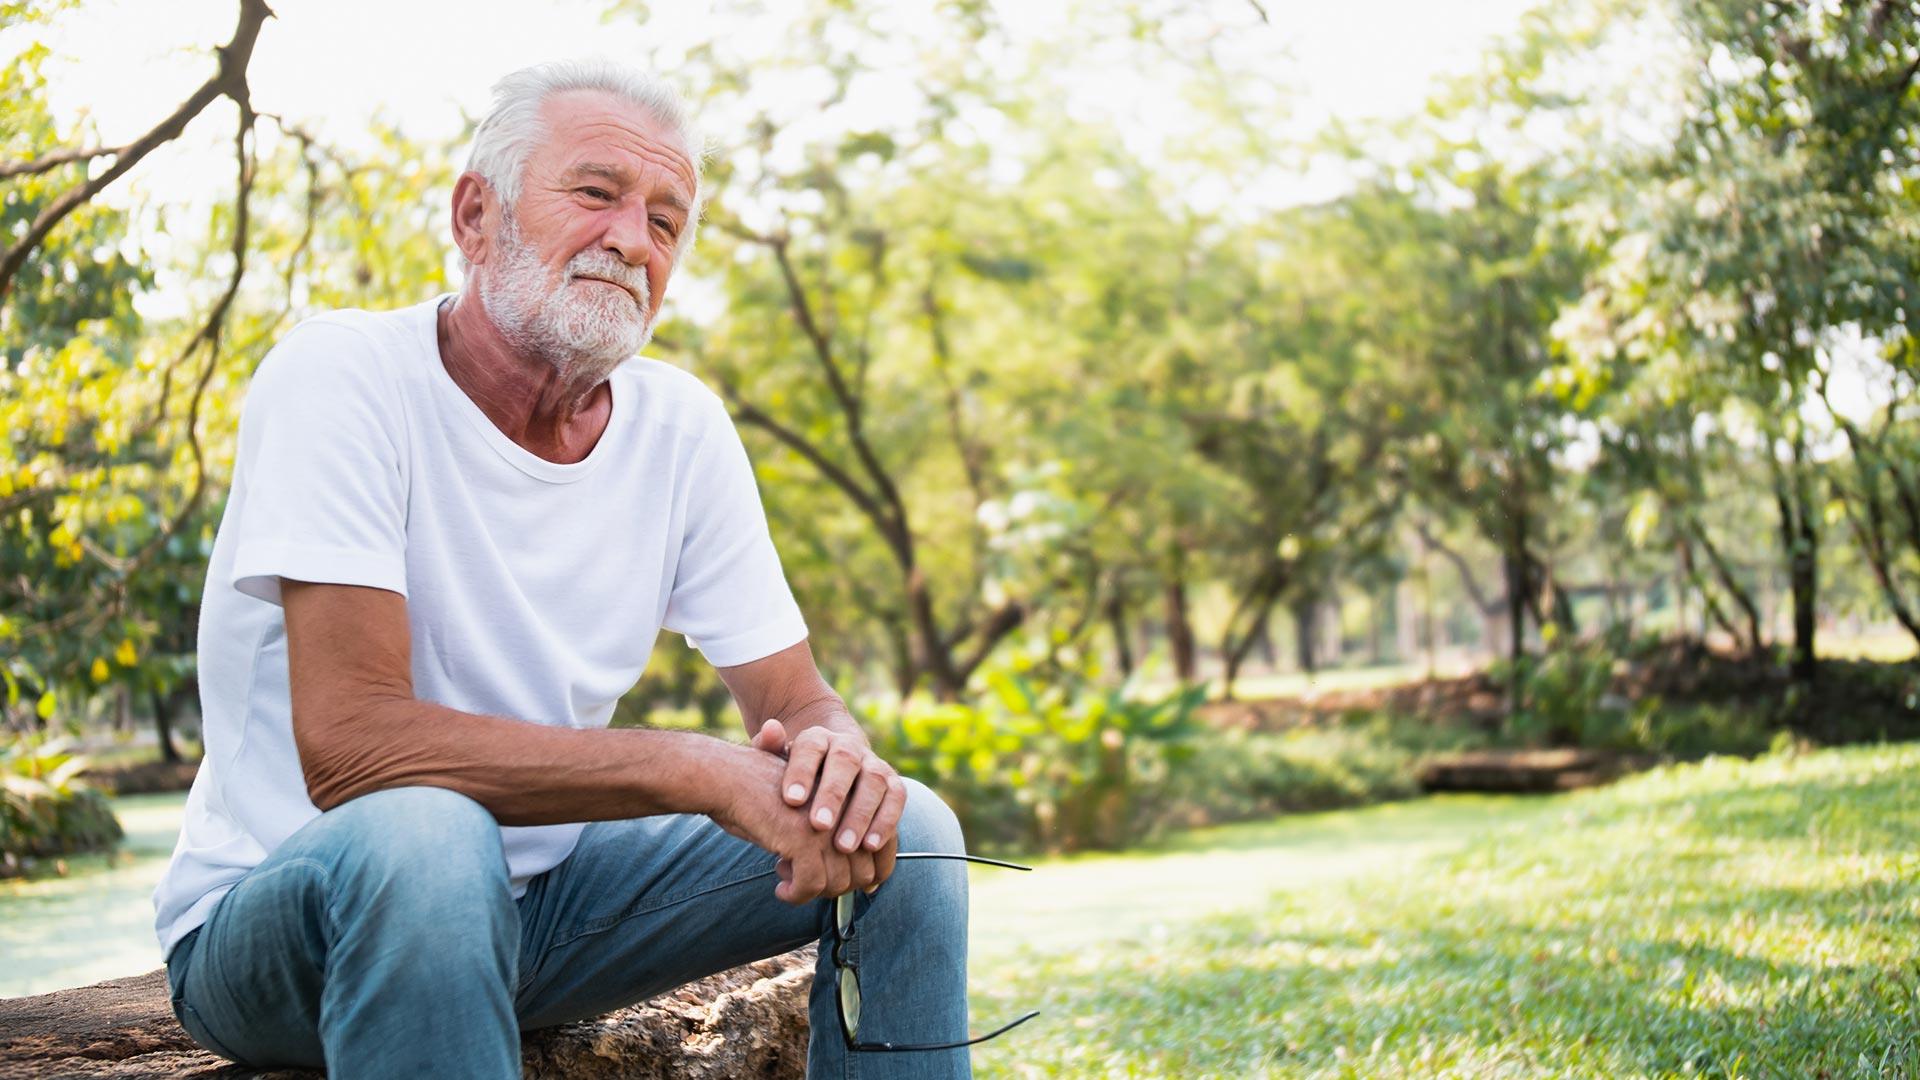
x: 750, y: 1021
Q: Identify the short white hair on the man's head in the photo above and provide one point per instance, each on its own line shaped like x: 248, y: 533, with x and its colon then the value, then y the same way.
x: 514, y: 128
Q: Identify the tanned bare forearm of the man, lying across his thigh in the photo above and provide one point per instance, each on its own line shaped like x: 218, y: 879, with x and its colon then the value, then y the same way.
x: 523, y: 773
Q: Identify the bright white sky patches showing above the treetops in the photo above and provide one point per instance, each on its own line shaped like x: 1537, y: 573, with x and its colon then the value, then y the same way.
x: 337, y: 64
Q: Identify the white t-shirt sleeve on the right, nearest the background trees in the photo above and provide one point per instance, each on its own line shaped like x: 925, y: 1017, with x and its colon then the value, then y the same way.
x: 731, y: 597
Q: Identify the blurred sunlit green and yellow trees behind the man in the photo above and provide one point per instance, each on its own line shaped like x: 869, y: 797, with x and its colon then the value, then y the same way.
x: 1606, y: 345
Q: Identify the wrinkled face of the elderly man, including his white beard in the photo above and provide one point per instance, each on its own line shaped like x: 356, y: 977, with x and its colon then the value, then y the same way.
x: 581, y: 264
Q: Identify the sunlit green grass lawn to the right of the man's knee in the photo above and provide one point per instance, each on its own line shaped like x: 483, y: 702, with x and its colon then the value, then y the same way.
x: 1723, y: 920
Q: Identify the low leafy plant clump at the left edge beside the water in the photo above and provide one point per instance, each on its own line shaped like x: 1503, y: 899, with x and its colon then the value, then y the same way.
x: 47, y: 810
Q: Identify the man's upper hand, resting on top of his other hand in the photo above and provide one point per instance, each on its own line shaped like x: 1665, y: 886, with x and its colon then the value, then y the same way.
x: 848, y: 791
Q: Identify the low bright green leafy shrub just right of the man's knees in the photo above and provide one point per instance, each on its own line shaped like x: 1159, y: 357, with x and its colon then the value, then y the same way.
x: 1049, y: 760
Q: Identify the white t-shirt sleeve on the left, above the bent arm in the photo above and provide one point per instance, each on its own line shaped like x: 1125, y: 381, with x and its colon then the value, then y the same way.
x: 320, y: 485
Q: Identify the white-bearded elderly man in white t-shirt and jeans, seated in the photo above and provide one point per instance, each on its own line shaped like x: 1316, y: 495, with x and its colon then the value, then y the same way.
x: 454, y: 535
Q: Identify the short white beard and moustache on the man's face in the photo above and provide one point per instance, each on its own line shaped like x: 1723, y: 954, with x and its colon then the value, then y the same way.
x: 585, y: 331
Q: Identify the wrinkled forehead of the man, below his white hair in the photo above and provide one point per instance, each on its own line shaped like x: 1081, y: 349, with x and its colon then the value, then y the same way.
x: 592, y: 134
